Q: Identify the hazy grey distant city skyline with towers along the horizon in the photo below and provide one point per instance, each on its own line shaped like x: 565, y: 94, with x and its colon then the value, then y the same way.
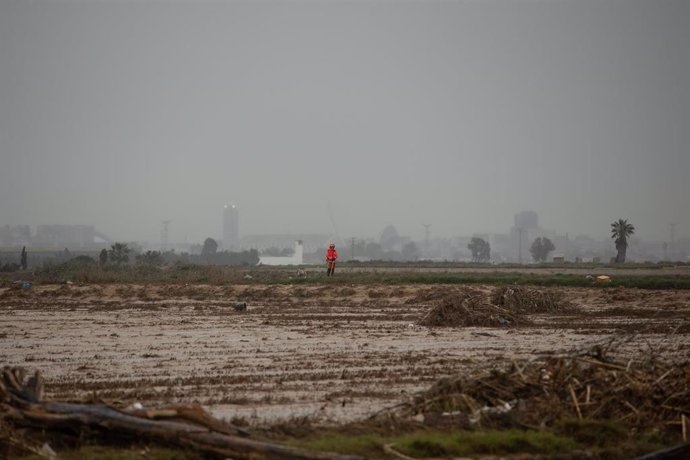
x: 511, y: 245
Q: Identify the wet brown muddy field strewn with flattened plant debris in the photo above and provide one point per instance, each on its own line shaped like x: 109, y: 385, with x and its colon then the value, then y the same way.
x: 331, y: 353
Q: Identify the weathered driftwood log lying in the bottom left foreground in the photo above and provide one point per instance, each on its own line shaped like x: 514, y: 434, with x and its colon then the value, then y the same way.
x: 22, y: 405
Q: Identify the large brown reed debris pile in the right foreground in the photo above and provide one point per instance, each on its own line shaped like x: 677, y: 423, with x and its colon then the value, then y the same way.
x: 541, y: 392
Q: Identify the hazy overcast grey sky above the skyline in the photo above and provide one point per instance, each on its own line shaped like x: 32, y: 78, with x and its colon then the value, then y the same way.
x: 453, y: 113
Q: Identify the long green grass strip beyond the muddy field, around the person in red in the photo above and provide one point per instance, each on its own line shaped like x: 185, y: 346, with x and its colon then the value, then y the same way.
x: 393, y: 274
